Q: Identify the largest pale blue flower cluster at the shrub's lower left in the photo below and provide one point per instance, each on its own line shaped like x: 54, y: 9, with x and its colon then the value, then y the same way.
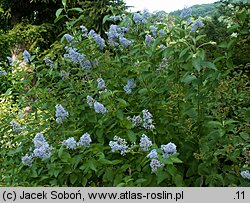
x: 42, y: 148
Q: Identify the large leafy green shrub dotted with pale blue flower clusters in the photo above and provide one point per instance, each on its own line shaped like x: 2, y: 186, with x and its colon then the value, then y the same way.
x: 147, y: 104
